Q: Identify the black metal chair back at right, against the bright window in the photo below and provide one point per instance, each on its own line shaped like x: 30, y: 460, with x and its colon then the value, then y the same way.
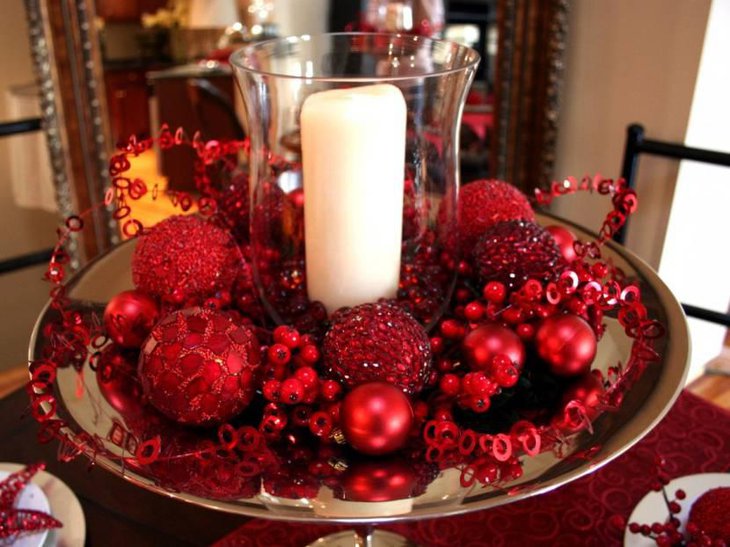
x: 637, y: 144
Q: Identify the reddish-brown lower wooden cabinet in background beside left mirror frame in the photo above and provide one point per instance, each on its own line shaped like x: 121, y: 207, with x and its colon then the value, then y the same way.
x: 127, y: 99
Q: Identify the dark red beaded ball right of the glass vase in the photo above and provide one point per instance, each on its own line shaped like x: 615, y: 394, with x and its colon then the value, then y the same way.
x: 514, y: 251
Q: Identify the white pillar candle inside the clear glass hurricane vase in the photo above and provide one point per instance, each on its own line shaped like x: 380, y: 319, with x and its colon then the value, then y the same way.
x: 353, y: 155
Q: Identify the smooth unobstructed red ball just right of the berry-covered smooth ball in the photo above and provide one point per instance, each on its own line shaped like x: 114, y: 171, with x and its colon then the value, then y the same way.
x: 567, y: 343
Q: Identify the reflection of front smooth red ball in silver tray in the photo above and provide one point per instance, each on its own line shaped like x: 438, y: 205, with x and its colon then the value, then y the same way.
x: 373, y: 481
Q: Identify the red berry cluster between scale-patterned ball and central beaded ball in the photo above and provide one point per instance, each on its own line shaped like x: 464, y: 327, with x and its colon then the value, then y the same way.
x: 292, y: 386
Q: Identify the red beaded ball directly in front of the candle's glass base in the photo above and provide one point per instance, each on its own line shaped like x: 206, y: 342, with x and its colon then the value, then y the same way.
x: 377, y: 342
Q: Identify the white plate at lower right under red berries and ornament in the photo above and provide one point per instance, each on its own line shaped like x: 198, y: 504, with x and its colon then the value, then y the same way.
x: 653, y: 509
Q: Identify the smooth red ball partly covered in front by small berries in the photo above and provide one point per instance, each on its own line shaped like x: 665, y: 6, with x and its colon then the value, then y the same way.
x: 488, y: 340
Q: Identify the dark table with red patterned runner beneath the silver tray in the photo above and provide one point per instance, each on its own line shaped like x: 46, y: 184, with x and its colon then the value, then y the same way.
x: 693, y: 438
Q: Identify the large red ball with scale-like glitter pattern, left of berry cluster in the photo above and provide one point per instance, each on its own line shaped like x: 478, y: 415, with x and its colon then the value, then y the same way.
x: 198, y: 366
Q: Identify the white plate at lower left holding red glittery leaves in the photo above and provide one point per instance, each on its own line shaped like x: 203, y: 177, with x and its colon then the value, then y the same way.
x: 64, y: 506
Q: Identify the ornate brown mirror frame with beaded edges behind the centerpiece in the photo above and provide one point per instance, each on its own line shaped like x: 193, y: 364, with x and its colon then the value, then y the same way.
x: 67, y: 57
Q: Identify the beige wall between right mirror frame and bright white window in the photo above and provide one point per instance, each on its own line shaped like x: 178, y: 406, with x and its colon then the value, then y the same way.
x: 628, y: 61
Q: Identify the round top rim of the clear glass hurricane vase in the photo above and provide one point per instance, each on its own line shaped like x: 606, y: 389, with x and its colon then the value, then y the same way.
x: 237, y: 58
